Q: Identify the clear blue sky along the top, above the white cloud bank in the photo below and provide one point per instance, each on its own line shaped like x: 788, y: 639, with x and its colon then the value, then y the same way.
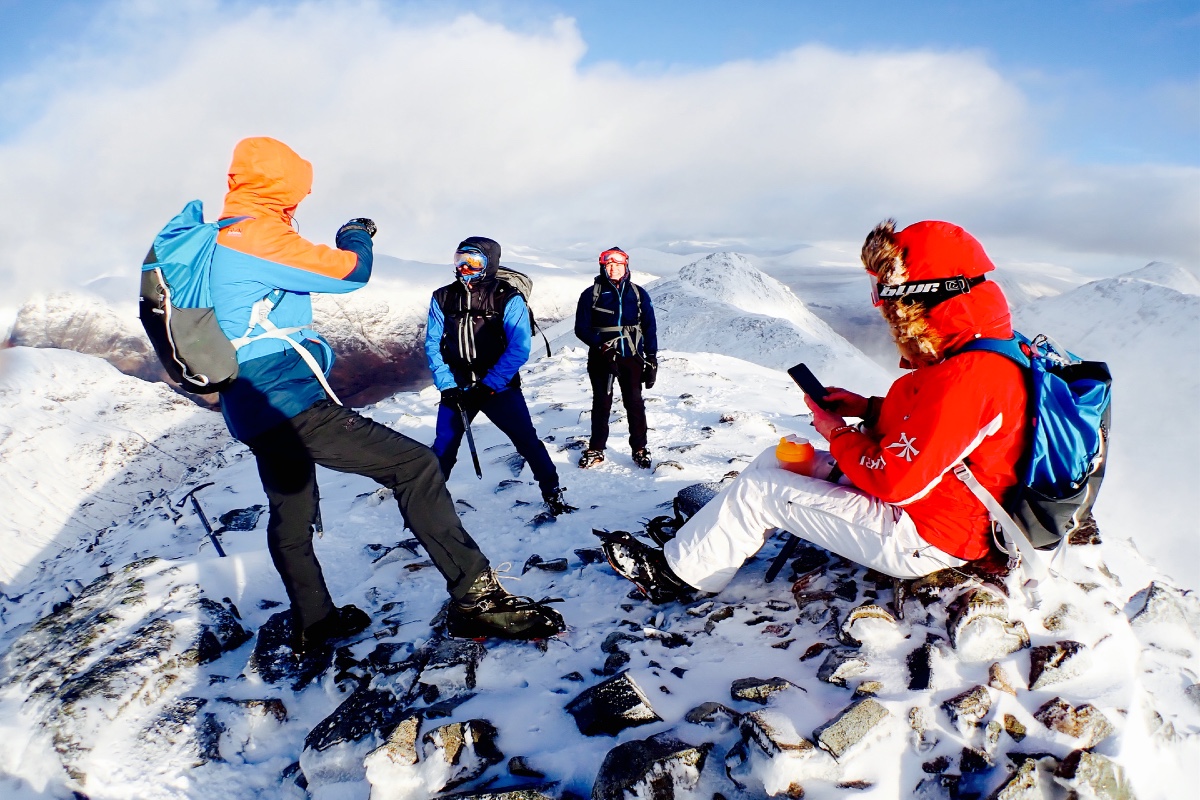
x: 1111, y: 81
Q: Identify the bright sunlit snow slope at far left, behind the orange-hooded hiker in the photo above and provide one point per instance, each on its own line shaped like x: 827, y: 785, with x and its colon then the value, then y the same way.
x: 82, y: 447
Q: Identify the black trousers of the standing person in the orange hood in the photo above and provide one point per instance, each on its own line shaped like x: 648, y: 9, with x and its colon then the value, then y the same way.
x: 344, y: 441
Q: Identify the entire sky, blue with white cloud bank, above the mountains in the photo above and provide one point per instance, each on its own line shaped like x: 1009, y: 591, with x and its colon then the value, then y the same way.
x: 1064, y: 135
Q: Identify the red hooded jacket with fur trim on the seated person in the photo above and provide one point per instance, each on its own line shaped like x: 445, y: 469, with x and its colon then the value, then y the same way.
x: 970, y: 406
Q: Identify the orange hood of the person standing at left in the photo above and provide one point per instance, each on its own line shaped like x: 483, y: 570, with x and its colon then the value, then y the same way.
x: 267, y: 178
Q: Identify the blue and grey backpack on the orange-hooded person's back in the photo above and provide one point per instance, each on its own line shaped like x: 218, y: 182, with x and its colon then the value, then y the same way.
x: 177, y: 304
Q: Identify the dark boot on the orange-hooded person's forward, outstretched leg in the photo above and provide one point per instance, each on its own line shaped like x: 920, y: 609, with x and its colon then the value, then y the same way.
x: 490, y: 611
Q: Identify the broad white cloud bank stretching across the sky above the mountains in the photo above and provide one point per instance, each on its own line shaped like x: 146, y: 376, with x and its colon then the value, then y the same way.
x: 440, y: 130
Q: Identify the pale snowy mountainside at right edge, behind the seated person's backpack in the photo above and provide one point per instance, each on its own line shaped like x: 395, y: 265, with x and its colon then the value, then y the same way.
x: 1147, y: 327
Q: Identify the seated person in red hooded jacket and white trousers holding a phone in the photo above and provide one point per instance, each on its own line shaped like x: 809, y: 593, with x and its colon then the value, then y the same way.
x: 897, y: 507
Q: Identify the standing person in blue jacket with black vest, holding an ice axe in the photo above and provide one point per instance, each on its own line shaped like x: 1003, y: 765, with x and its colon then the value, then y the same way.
x: 477, y: 340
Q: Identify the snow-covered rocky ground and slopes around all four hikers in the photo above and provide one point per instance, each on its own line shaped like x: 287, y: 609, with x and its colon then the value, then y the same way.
x: 95, y: 461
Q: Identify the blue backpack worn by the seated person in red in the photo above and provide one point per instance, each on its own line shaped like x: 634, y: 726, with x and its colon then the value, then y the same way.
x: 1065, y: 458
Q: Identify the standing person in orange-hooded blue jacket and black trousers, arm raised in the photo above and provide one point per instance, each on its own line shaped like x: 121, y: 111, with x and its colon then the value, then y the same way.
x: 281, y: 406
